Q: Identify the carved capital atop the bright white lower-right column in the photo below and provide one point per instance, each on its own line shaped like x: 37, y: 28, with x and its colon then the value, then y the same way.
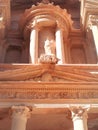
x: 78, y: 113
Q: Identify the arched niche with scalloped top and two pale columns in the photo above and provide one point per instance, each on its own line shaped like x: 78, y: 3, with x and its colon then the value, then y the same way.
x: 46, y: 22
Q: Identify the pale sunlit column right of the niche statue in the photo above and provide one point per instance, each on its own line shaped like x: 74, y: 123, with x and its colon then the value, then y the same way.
x: 60, y: 46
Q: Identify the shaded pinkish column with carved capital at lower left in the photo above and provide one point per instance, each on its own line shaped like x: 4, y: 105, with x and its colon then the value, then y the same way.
x: 20, y: 115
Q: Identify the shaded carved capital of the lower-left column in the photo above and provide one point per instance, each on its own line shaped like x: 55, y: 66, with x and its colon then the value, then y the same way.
x: 20, y: 111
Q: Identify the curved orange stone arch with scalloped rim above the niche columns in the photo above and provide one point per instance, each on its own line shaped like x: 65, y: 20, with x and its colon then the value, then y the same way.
x: 45, y: 15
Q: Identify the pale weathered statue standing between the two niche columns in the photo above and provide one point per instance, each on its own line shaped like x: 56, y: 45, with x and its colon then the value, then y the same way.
x: 49, y: 47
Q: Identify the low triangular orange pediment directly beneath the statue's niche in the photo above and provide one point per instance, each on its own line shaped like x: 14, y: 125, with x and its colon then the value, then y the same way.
x: 47, y: 73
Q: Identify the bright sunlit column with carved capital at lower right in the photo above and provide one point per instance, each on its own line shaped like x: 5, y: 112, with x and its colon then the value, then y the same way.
x: 79, y: 117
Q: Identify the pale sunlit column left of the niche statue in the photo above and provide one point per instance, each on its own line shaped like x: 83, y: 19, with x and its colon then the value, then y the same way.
x: 34, y: 46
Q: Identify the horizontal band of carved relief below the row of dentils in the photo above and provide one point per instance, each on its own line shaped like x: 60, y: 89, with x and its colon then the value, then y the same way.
x: 33, y: 93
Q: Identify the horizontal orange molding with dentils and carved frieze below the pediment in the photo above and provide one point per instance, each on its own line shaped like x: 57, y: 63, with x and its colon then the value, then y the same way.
x: 47, y: 91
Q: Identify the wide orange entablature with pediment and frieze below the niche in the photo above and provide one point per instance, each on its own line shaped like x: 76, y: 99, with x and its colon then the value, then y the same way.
x: 48, y: 82
